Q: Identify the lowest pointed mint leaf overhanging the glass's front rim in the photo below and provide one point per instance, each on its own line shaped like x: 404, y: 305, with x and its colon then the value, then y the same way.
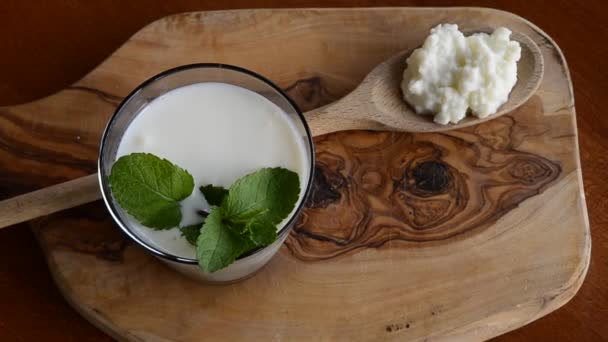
x: 218, y: 246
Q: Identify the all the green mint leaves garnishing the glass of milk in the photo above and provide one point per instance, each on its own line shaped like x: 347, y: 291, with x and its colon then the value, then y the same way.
x: 242, y: 218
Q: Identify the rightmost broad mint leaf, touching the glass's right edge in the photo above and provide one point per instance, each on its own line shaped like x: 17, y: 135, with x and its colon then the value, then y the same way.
x: 268, y: 194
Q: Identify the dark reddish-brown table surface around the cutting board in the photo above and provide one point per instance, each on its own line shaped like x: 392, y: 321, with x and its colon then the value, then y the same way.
x: 46, y: 47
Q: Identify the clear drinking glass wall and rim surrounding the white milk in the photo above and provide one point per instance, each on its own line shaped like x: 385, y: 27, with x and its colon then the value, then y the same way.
x: 162, y: 83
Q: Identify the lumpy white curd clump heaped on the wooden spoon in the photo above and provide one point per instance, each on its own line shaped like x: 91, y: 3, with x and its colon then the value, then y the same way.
x: 451, y: 73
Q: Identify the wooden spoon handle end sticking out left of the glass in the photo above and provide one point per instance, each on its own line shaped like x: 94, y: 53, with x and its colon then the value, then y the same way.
x: 49, y: 200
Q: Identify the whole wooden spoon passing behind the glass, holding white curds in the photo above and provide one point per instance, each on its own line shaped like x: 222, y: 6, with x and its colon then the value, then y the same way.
x: 376, y: 104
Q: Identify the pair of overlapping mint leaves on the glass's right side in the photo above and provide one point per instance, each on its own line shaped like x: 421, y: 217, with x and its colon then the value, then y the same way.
x: 247, y: 216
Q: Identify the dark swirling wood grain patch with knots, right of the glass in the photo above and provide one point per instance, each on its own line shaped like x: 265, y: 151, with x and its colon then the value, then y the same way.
x: 420, y: 188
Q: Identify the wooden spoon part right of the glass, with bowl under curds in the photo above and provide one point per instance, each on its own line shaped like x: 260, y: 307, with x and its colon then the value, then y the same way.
x: 378, y: 104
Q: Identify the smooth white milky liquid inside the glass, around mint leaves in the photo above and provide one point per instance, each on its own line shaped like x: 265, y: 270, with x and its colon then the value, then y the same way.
x: 218, y: 133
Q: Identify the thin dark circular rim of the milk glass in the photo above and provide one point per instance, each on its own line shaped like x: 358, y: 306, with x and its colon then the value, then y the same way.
x: 102, y: 176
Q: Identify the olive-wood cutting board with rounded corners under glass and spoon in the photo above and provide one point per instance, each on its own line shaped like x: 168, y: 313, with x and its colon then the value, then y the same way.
x: 460, y: 235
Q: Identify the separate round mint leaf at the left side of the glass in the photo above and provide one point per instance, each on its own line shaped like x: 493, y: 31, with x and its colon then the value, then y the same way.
x: 150, y: 188
